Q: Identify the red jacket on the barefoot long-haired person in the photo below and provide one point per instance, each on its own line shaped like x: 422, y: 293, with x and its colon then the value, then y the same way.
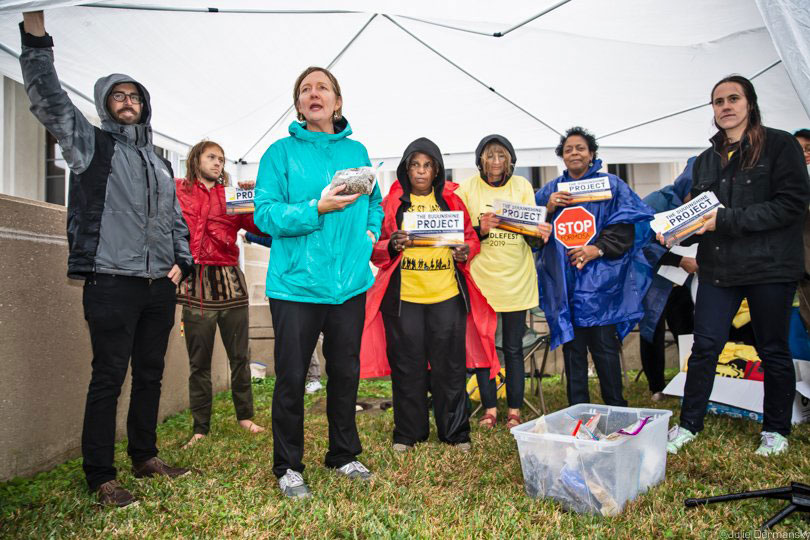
x: 213, y: 232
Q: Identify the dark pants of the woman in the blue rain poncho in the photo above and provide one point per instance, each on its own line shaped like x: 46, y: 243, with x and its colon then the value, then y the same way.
x: 603, y: 344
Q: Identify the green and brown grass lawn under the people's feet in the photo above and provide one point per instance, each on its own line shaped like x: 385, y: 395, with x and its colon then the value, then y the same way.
x: 434, y: 491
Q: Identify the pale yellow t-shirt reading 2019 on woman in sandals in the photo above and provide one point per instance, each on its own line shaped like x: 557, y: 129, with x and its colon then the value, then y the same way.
x: 504, y: 270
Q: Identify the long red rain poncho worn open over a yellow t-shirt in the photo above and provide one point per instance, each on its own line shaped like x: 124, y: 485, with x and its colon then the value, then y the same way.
x: 481, y: 320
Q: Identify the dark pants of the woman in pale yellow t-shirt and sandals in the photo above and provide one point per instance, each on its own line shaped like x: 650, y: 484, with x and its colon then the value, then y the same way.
x: 513, y: 327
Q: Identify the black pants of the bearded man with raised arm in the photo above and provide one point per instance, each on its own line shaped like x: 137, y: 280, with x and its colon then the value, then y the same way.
x: 127, y: 317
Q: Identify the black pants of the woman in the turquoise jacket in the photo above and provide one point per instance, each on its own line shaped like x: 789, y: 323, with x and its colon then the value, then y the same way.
x: 297, y: 326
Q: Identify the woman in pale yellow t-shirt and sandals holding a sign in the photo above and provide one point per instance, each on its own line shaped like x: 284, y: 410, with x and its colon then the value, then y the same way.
x: 504, y: 270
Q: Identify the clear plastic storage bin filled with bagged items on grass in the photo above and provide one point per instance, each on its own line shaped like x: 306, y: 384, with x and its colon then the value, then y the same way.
x: 590, y: 476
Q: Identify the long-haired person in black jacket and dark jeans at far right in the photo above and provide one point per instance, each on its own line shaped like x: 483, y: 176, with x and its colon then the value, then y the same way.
x: 751, y: 248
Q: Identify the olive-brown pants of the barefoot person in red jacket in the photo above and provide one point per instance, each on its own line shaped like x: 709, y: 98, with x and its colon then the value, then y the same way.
x: 201, y: 329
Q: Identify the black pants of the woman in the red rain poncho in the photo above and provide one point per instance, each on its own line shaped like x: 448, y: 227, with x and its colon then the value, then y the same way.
x: 422, y: 334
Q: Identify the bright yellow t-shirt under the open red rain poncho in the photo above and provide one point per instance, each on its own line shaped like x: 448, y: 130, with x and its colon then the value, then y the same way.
x: 427, y: 274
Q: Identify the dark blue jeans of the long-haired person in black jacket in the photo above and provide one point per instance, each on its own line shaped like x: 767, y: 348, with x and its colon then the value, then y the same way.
x: 715, y: 308
